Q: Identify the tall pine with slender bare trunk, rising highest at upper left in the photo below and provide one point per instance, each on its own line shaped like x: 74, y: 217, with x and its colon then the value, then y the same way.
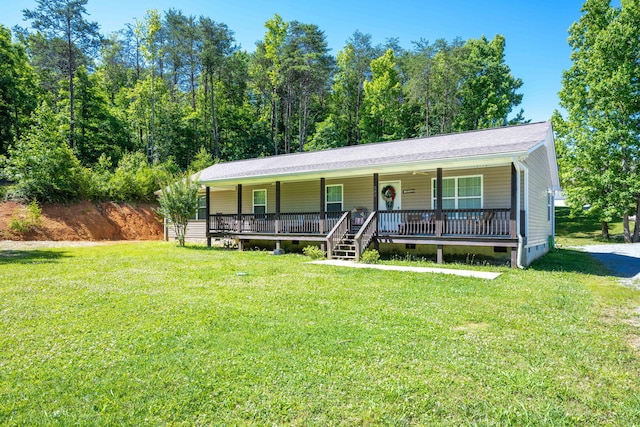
x: 63, y: 23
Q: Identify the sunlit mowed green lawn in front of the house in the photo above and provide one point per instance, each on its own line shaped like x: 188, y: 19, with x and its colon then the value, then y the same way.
x: 152, y: 334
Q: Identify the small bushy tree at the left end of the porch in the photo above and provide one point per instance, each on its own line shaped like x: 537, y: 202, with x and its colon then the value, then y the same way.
x: 178, y: 203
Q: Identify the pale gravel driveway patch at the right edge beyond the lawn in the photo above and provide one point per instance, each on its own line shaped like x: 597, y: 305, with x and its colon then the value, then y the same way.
x: 622, y: 260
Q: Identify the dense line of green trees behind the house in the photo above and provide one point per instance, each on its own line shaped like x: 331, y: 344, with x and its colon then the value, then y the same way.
x: 172, y: 92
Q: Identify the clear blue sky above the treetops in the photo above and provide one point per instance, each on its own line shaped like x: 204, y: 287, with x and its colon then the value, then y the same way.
x: 535, y: 30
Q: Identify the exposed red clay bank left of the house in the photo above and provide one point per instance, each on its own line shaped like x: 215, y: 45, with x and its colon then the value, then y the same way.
x: 87, y: 221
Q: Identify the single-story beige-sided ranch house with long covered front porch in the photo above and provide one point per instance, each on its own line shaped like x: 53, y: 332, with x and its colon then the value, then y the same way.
x: 487, y: 192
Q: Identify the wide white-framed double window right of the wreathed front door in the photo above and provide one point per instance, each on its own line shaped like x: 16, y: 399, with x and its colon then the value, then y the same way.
x: 464, y: 192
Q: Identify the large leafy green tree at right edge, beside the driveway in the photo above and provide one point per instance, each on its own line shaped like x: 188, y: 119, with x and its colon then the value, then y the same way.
x: 599, y: 150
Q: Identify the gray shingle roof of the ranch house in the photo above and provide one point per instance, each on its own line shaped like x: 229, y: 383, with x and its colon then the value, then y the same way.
x: 511, y: 140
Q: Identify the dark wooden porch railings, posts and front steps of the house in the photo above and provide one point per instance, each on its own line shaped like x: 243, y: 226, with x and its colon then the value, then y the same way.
x: 347, y: 233
